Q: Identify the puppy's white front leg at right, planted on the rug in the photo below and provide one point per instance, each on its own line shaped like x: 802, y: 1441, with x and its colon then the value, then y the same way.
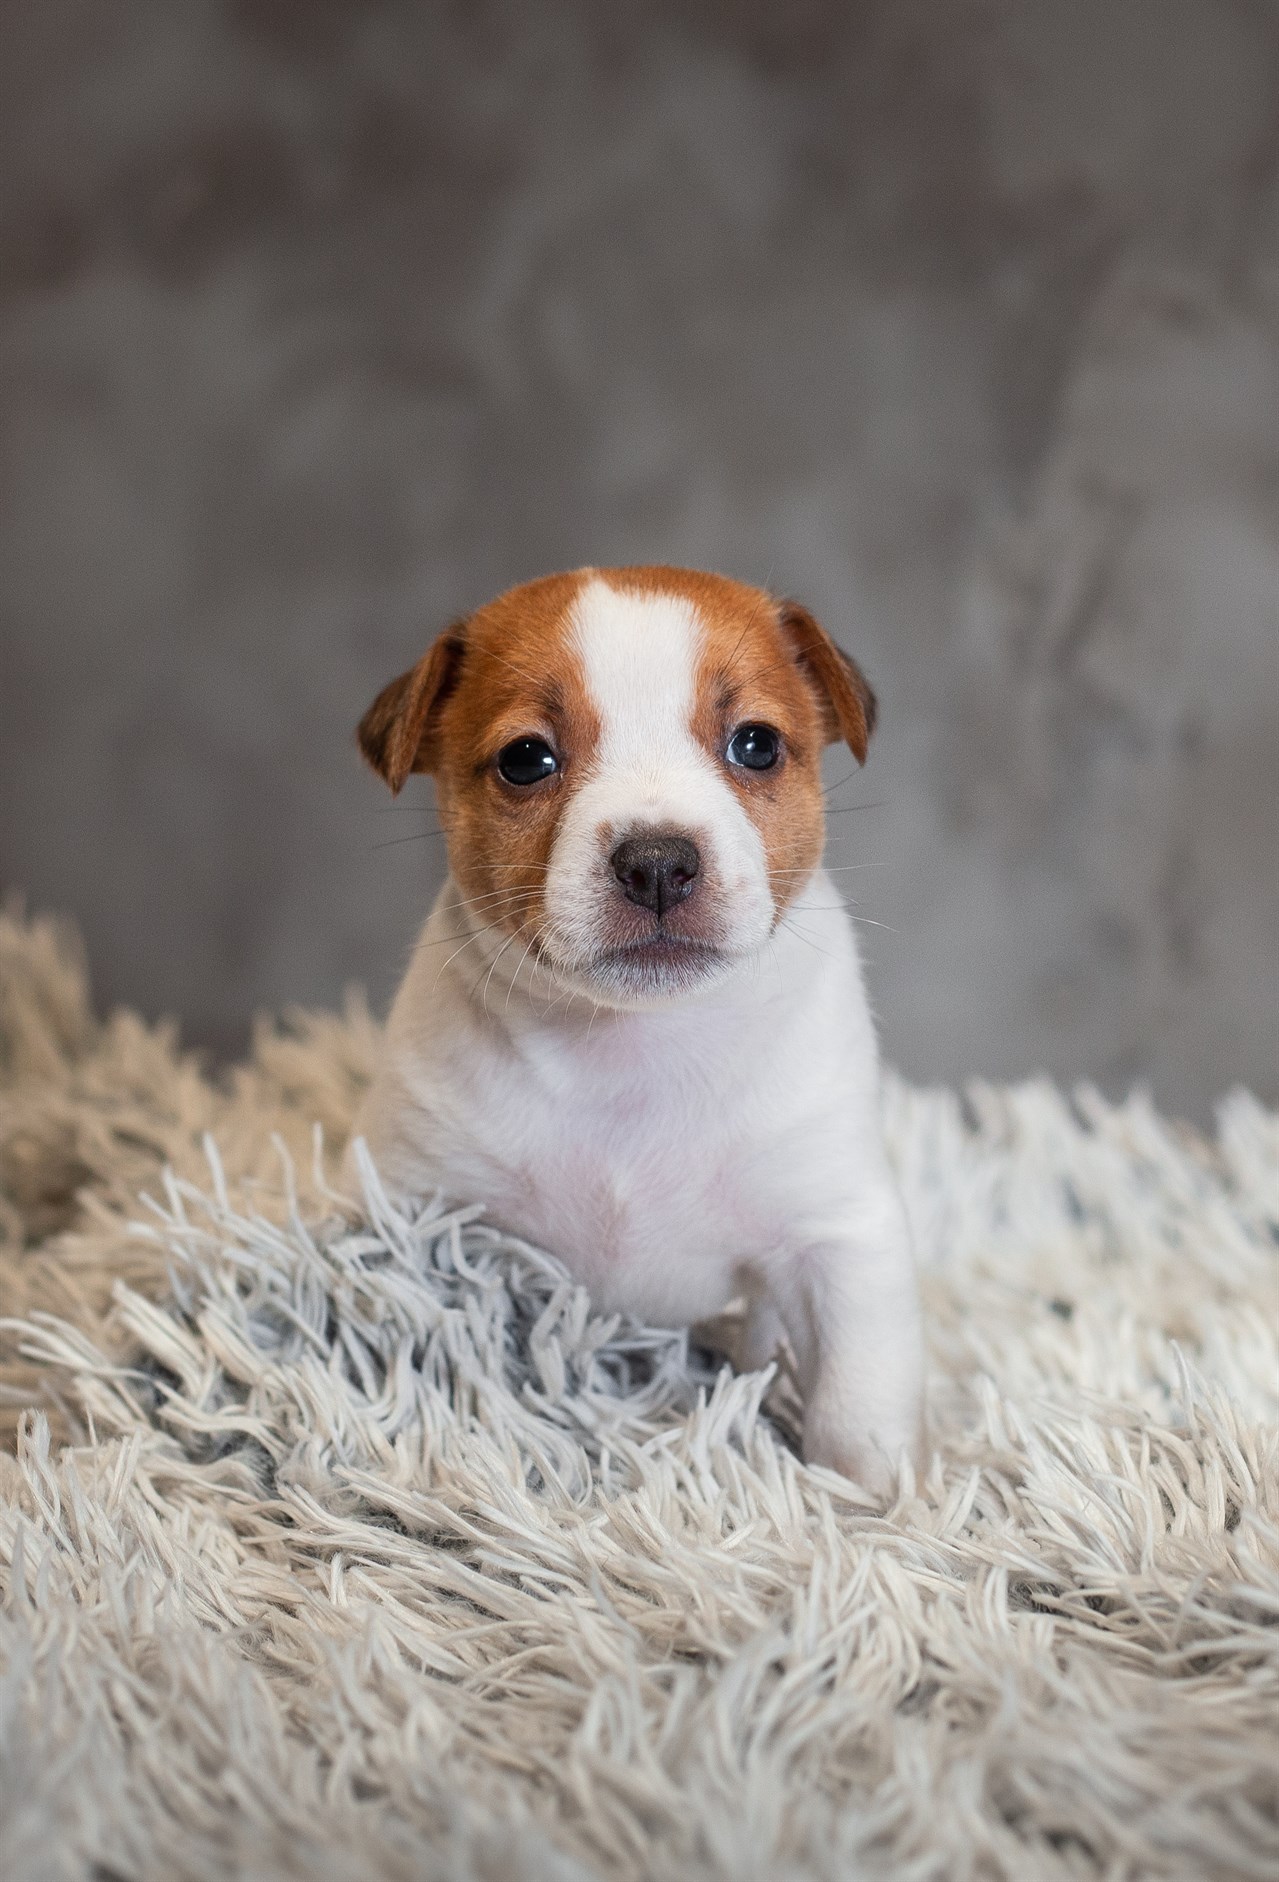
x: 853, y: 1313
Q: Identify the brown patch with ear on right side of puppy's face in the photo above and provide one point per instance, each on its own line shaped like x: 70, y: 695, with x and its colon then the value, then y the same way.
x: 770, y: 663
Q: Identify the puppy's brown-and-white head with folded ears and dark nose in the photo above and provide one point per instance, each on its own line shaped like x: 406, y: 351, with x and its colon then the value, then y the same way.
x: 629, y: 769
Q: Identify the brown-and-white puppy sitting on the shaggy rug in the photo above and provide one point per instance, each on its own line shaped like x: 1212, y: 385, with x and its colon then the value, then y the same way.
x: 635, y: 1027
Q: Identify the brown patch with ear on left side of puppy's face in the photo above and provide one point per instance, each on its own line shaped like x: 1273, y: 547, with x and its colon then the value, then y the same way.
x: 507, y: 673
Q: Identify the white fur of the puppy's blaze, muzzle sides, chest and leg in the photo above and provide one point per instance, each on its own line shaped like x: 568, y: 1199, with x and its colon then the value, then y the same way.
x: 684, y: 1153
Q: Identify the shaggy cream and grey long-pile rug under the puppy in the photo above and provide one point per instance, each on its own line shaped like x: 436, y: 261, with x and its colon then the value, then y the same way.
x: 360, y: 1548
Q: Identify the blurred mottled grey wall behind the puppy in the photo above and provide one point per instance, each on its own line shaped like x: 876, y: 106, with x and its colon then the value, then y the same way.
x: 321, y: 323
